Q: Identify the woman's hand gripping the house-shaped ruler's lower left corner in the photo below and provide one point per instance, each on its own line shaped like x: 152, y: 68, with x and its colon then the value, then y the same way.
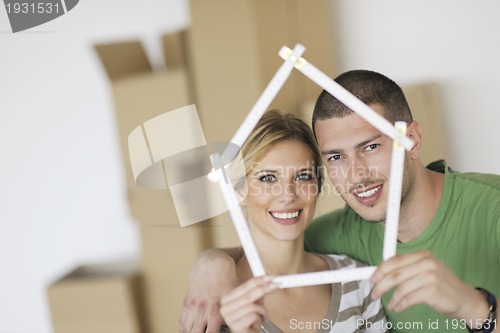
x: 242, y: 309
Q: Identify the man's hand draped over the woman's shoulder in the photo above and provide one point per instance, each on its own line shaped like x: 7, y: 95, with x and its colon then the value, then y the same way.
x: 212, y: 276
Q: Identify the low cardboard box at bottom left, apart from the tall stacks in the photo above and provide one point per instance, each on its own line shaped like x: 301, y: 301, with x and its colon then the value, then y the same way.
x: 99, y: 299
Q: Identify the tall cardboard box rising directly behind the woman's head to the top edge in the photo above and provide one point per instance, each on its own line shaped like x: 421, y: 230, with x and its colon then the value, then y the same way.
x: 233, y: 54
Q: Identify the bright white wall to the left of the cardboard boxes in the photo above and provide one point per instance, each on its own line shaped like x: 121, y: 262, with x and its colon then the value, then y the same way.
x: 62, y: 194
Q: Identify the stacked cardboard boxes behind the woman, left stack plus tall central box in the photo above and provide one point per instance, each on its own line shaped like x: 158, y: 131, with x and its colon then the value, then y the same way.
x: 222, y: 64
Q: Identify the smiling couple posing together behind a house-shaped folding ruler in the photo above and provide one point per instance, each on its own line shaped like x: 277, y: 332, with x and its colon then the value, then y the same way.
x: 445, y: 276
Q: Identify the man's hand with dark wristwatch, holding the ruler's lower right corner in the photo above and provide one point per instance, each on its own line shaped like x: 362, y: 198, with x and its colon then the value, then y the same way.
x: 420, y: 278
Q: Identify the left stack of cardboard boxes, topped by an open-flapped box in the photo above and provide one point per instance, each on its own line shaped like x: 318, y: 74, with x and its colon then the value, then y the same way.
x: 139, y: 95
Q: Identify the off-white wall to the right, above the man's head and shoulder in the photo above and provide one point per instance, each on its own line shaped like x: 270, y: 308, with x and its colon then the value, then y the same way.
x: 452, y: 42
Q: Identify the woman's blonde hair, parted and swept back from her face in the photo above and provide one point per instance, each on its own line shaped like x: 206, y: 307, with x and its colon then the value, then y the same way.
x: 275, y: 127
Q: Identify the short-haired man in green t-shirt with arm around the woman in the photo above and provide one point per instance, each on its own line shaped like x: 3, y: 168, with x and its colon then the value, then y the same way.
x: 449, y: 231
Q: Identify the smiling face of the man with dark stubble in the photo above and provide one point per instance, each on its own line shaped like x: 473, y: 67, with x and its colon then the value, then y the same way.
x: 357, y: 158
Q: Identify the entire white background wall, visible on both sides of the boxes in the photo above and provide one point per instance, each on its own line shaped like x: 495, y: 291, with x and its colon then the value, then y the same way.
x: 62, y: 195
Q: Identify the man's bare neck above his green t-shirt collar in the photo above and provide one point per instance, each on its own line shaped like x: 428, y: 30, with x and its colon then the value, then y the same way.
x: 421, y: 205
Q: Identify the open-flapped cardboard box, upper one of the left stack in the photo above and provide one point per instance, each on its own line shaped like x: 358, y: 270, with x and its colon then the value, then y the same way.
x: 140, y: 94
